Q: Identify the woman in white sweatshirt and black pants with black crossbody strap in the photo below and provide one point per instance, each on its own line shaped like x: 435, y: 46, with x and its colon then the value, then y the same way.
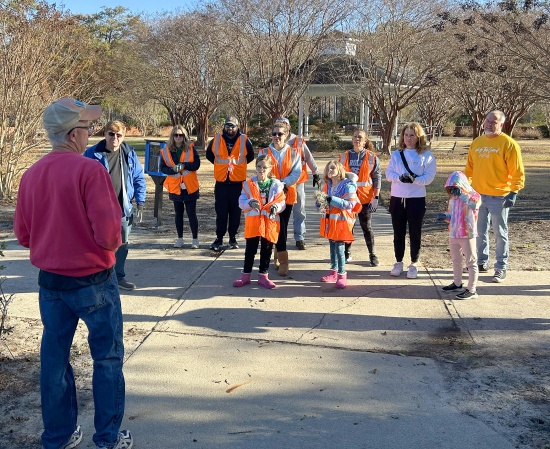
x: 410, y: 170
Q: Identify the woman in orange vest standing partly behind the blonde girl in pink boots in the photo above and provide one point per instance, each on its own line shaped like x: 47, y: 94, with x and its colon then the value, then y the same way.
x: 362, y: 161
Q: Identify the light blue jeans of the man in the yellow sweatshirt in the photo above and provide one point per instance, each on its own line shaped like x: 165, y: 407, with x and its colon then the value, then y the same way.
x: 491, y: 210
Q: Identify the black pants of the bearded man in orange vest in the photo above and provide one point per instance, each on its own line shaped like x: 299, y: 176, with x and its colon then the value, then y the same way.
x: 226, y: 204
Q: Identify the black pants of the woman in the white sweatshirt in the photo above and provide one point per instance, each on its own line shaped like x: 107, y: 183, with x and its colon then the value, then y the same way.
x: 407, y: 211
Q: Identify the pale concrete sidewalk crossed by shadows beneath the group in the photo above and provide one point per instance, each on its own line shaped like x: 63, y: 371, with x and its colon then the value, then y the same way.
x: 304, y: 365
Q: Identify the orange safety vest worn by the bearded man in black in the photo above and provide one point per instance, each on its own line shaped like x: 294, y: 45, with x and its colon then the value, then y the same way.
x: 234, y: 163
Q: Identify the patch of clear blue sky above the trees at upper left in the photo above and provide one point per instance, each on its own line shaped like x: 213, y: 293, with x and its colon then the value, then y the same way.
x: 147, y: 7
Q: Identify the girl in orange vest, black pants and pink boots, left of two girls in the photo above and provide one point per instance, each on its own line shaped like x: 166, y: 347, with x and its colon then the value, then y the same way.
x: 262, y: 199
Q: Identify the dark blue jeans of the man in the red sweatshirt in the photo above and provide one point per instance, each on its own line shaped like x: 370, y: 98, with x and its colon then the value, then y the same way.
x: 99, y: 307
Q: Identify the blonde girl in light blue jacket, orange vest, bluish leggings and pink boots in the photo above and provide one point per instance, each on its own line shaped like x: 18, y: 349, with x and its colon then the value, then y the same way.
x: 341, y: 205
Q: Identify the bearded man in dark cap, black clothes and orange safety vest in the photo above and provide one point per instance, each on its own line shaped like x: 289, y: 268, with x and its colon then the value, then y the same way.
x: 230, y: 152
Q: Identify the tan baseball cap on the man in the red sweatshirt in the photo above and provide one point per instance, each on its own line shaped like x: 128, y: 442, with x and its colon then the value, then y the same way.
x: 65, y: 113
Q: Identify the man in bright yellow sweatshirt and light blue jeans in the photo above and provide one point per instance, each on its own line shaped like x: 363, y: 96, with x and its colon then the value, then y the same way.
x: 495, y: 169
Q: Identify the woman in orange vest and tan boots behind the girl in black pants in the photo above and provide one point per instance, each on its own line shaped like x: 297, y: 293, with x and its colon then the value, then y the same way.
x: 287, y: 169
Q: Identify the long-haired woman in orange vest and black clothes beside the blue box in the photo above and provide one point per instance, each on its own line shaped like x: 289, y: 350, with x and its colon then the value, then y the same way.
x: 180, y: 162
